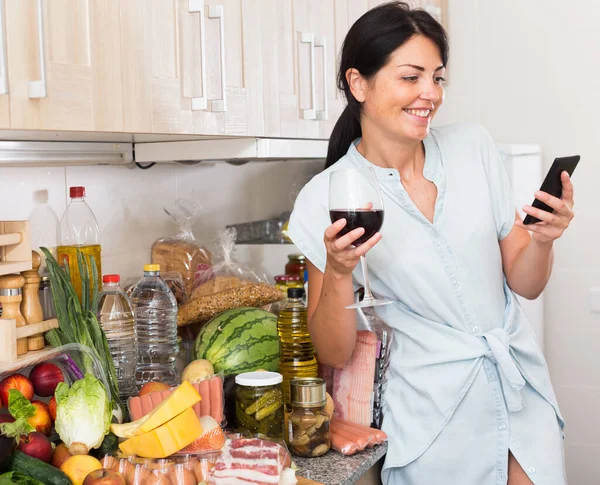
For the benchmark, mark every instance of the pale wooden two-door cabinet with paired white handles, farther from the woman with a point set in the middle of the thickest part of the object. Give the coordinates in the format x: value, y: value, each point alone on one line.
x: 188, y: 68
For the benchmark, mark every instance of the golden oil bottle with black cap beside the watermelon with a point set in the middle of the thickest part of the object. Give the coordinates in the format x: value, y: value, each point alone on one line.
x: 296, y: 351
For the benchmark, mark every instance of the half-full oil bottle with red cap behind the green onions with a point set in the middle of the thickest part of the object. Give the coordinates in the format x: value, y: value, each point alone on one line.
x: 79, y: 230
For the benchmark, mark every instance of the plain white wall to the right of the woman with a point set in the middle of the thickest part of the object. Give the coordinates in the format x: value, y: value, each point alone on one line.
x: 528, y: 71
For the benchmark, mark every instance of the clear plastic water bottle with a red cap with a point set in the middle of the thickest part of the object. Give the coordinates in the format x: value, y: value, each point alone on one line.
x: 116, y: 318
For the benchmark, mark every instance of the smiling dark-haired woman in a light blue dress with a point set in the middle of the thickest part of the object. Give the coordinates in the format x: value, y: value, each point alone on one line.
x: 469, y: 399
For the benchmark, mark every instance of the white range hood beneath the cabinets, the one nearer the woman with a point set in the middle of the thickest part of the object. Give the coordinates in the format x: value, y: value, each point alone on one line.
x: 233, y: 150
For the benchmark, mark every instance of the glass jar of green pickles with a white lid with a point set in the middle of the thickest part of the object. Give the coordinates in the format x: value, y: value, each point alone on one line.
x: 259, y: 404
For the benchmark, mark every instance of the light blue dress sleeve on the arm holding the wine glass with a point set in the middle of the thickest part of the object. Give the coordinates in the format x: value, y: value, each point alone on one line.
x: 309, y: 220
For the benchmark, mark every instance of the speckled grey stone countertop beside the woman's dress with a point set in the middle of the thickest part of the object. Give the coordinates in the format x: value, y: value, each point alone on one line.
x: 337, y: 469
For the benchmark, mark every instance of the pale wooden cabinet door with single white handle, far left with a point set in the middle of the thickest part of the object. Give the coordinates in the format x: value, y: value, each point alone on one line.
x: 63, y: 63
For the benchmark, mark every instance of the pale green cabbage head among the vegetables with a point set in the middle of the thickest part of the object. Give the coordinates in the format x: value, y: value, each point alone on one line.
x: 83, y: 414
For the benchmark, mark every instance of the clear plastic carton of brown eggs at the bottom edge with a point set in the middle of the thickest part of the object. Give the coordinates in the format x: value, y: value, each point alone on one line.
x: 179, y: 470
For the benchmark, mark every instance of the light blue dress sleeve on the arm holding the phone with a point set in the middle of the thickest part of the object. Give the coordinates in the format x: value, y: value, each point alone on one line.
x: 499, y: 185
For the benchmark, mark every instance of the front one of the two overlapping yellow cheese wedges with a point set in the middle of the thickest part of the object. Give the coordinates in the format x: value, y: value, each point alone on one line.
x: 166, y: 439
